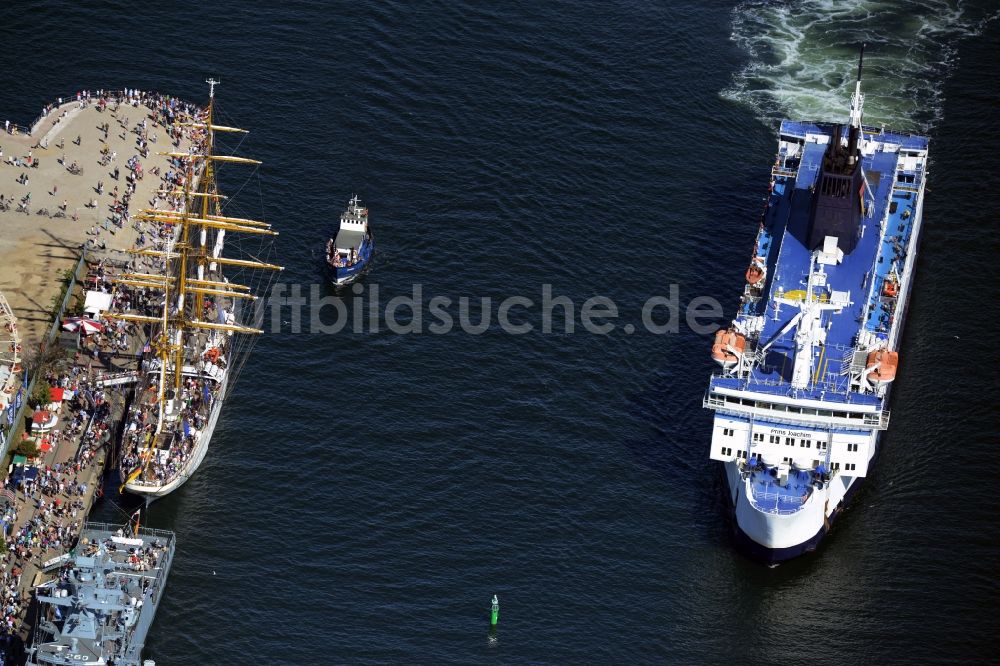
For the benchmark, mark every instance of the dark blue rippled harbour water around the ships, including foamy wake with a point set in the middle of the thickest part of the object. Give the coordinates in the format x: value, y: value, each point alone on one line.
x: 366, y: 494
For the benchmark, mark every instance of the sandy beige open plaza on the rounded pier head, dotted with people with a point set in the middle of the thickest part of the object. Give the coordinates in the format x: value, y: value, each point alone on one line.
x: 35, y: 249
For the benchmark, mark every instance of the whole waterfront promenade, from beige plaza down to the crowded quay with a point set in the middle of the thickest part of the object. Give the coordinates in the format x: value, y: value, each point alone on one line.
x: 118, y: 172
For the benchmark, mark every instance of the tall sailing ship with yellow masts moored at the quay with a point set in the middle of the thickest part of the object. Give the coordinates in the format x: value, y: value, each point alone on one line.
x: 204, y: 329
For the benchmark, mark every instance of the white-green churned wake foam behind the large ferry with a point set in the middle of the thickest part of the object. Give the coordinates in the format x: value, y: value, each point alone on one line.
x: 803, y: 57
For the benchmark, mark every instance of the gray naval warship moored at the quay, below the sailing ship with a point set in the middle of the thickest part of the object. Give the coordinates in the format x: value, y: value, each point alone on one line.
x: 99, y: 608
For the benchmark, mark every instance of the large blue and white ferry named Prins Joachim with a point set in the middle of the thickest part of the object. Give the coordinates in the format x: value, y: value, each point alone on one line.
x: 808, y: 362
